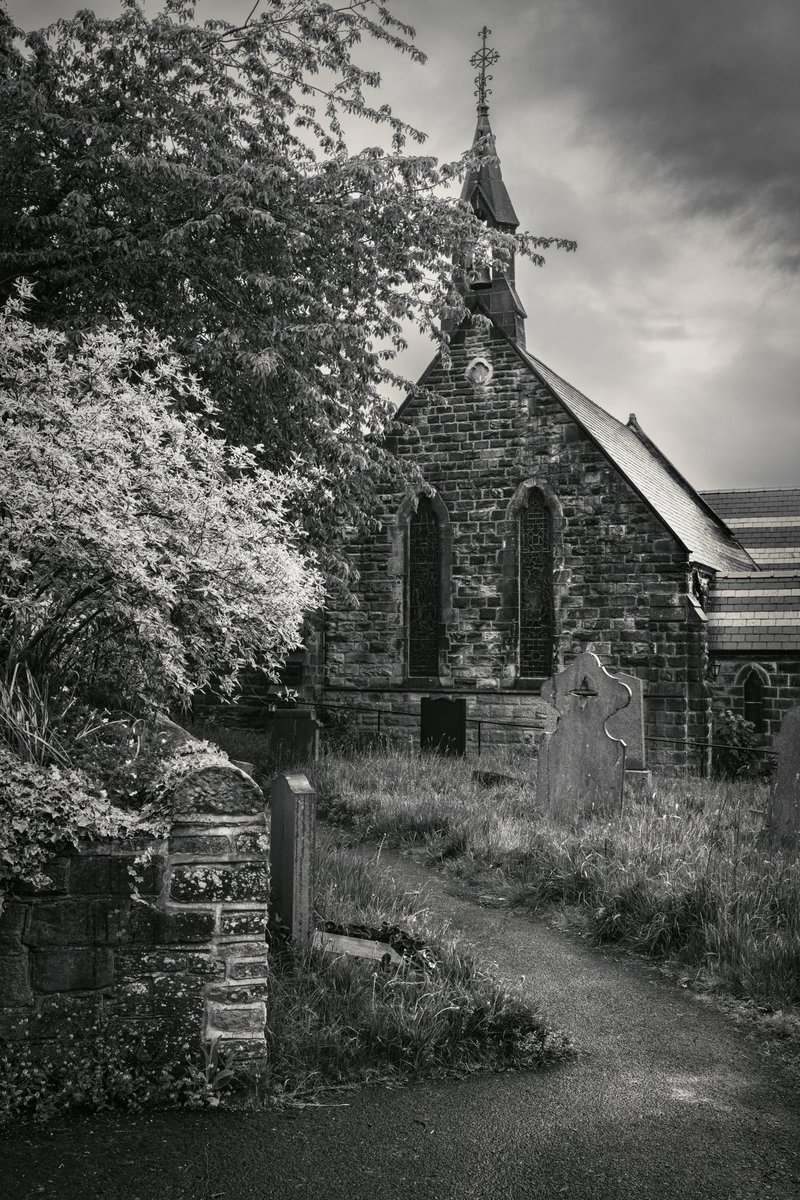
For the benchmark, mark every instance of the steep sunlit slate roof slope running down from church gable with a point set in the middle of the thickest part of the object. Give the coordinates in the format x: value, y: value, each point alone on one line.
x: 705, y: 535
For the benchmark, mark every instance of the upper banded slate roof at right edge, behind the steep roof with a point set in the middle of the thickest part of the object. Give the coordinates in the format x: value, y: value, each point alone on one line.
x: 767, y: 521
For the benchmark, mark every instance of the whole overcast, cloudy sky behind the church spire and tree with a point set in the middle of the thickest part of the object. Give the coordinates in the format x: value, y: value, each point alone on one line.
x: 665, y: 137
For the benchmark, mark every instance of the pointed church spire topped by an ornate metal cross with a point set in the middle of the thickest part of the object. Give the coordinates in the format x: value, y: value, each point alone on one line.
x: 486, y: 193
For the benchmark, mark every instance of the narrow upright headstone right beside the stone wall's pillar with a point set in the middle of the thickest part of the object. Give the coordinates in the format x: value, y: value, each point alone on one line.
x: 292, y: 850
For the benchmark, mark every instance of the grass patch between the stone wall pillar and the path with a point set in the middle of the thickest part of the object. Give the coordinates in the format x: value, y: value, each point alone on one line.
x: 336, y: 1023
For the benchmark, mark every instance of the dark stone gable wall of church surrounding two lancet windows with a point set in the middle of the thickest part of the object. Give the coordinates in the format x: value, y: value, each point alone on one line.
x: 622, y: 579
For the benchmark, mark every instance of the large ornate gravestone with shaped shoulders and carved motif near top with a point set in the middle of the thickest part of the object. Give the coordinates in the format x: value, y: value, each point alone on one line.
x: 581, y: 767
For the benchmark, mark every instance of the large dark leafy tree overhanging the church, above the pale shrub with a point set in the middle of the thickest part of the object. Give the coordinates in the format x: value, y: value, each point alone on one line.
x: 200, y: 175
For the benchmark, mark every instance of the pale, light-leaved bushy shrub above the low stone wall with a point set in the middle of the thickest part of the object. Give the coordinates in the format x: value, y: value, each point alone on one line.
x: 140, y: 553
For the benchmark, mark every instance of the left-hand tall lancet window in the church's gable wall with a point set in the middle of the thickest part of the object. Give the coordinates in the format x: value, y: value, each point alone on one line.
x: 424, y: 591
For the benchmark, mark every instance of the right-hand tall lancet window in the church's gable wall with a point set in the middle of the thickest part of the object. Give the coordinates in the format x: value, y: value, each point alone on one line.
x: 536, y: 567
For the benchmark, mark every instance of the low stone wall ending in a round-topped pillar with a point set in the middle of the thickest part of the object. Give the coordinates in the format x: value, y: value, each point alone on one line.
x: 185, y: 963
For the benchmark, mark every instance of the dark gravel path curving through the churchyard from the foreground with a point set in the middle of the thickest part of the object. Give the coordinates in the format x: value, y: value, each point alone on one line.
x: 667, y: 1100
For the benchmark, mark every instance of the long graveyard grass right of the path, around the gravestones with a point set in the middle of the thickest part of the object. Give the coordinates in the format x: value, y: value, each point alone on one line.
x: 681, y: 874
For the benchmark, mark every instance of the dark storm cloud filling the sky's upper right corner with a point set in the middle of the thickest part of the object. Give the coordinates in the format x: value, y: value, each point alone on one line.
x: 705, y: 95
